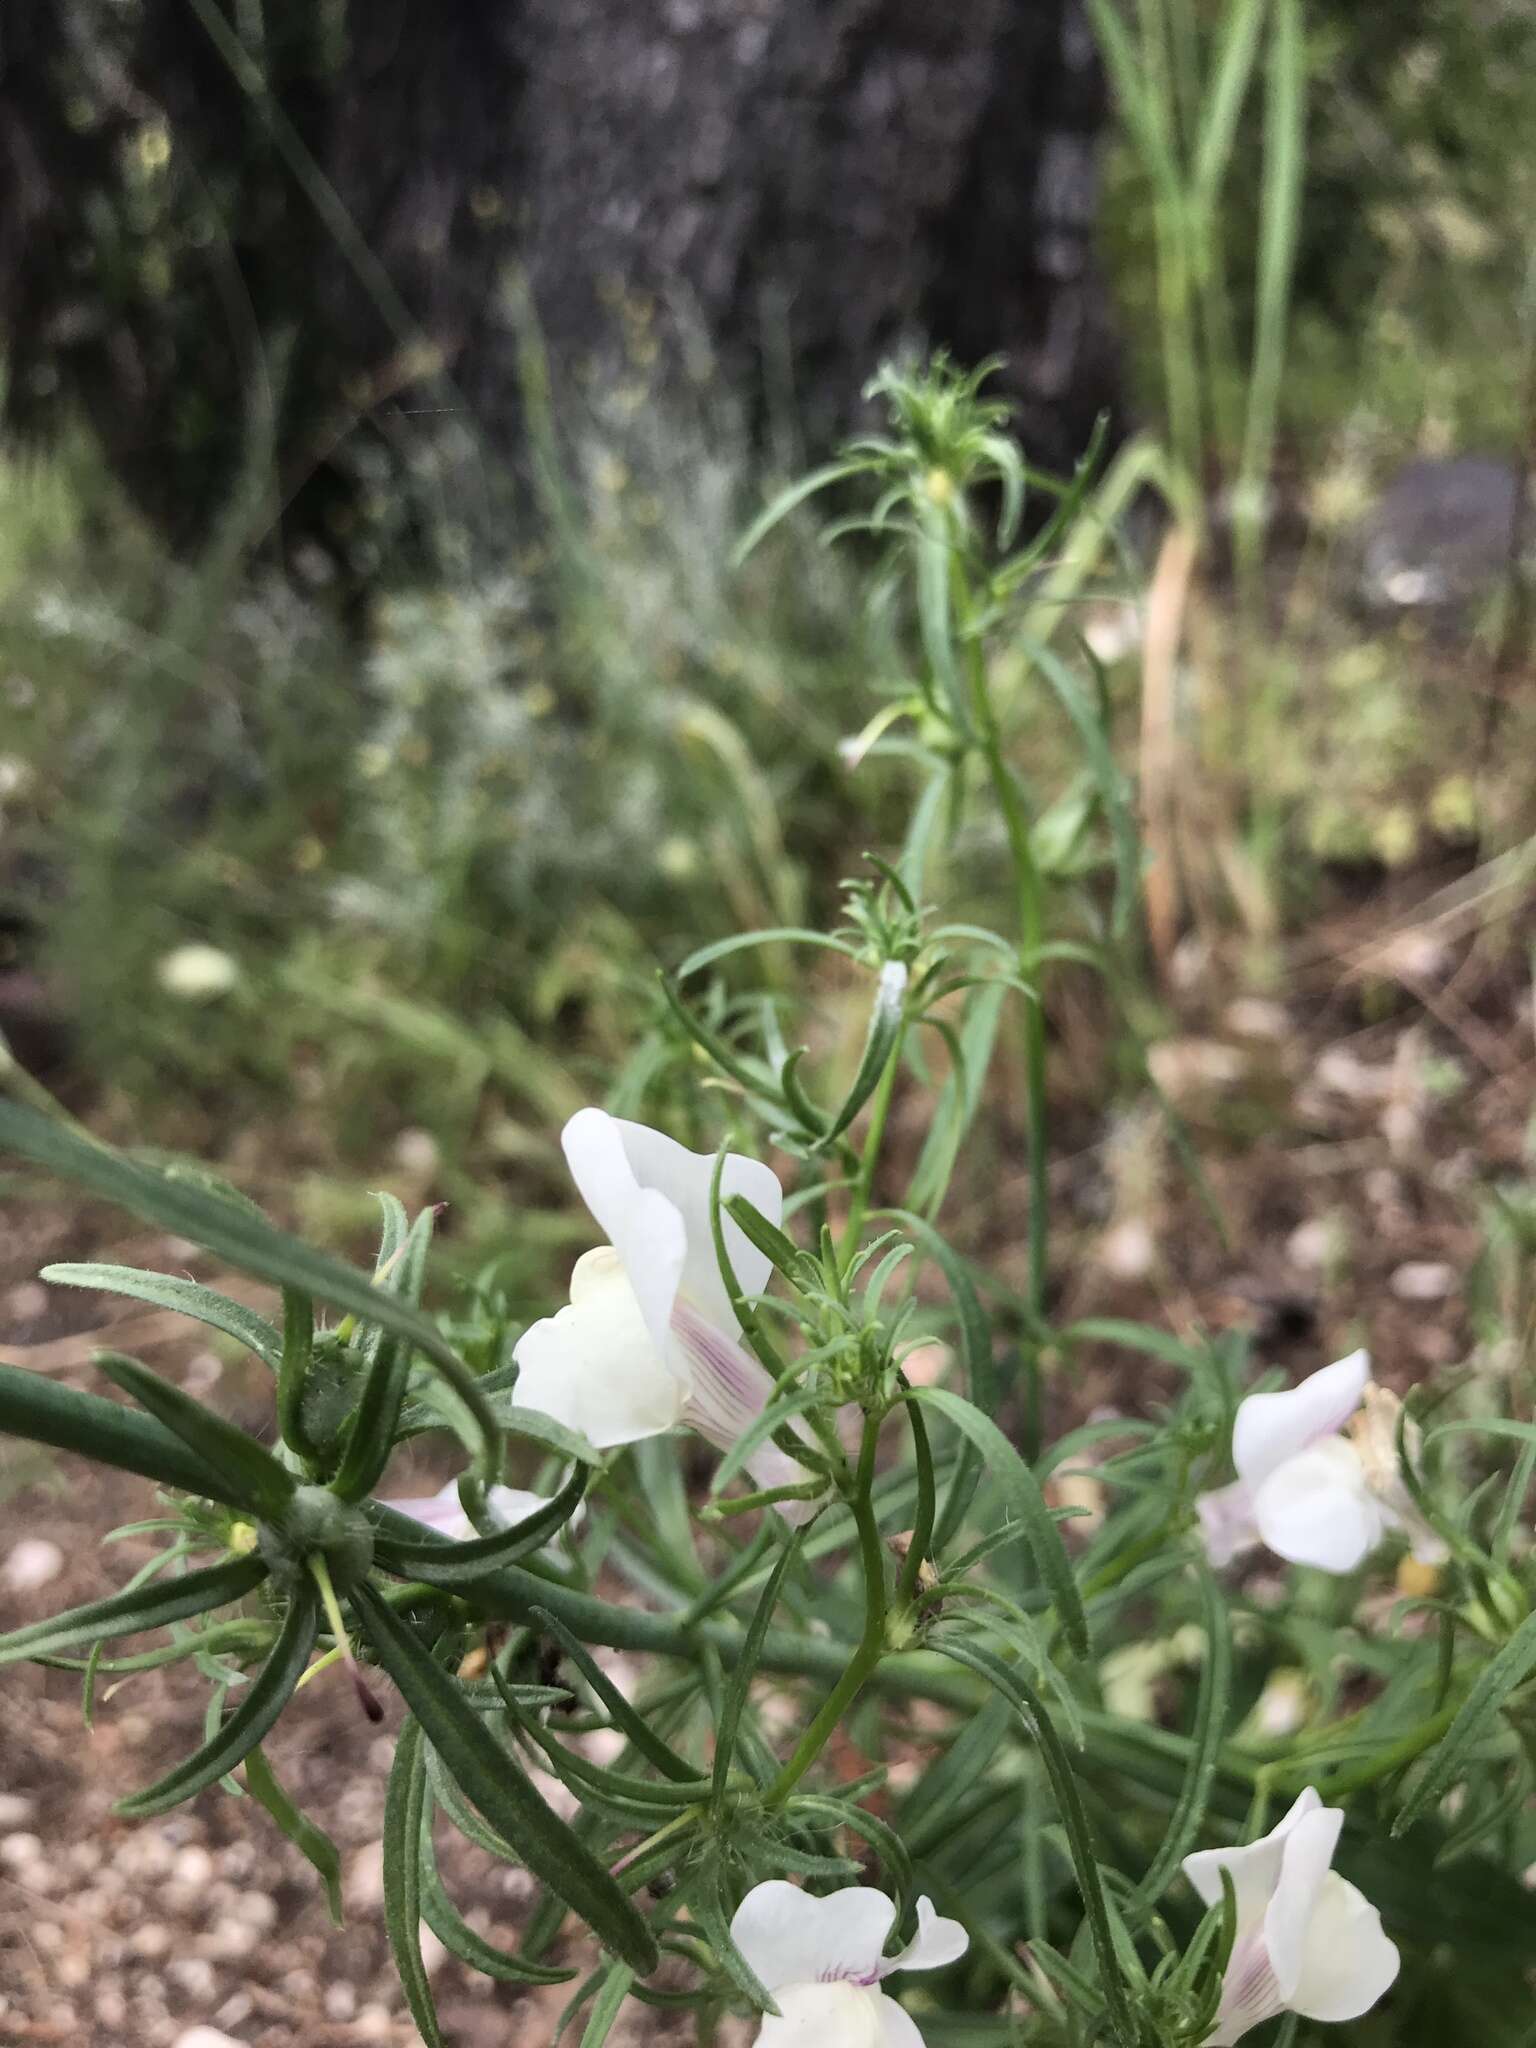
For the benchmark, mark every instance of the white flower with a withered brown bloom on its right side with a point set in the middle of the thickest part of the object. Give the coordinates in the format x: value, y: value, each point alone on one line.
x: 1306, y: 1488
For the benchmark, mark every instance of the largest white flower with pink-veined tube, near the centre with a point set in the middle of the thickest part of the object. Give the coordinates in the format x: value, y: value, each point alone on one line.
x: 650, y: 1338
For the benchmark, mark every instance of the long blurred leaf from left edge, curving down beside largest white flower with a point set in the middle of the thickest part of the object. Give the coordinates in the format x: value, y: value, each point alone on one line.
x: 237, y: 1232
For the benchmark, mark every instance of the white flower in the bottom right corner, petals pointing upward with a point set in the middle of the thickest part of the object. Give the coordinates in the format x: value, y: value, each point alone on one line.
x: 1308, y: 1943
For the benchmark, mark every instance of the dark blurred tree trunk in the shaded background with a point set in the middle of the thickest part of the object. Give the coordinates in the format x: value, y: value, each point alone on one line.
x: 830, y: 177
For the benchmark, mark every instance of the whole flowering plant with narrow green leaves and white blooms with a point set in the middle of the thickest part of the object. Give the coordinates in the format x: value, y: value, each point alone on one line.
x: 867, y: 1682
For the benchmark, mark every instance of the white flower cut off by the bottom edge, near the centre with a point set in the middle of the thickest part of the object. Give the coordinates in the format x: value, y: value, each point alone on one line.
x: 824, y: 1961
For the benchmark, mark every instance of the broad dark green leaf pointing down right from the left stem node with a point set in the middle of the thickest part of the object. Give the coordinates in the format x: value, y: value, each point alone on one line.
x: 501, y: 1789
